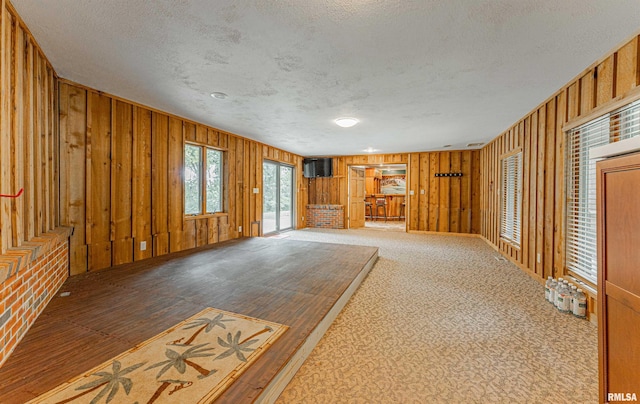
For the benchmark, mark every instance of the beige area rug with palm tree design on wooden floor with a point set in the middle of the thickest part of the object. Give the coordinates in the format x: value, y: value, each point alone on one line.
x: 191, y: 362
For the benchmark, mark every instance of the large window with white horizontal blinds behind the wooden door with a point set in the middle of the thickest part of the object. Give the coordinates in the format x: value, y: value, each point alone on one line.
x: 581, y: 184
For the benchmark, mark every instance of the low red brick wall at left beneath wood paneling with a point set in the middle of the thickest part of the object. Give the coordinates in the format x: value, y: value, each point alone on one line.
x: 37, y: 273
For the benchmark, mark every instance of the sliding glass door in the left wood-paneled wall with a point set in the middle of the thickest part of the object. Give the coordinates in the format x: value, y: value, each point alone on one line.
x: 278, y: 199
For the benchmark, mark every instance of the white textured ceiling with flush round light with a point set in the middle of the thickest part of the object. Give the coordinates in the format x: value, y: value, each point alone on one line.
x: 419, y: 74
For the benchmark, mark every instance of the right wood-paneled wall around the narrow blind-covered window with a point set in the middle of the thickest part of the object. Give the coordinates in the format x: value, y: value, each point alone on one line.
x: 540, y: 136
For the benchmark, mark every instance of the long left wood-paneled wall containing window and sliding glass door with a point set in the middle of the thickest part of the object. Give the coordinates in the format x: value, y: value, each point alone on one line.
x: 121, y: 181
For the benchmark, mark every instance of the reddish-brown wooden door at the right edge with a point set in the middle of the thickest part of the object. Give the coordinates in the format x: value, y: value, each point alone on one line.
x: 619, y: 275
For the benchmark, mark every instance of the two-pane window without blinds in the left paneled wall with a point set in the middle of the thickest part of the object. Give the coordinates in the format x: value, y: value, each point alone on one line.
x: 202, y: 180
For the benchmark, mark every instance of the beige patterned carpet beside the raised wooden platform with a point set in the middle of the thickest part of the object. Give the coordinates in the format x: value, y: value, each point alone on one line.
x: 440, y: 320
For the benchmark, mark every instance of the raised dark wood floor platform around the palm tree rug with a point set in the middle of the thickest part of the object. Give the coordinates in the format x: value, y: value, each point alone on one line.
x: 300, y: 284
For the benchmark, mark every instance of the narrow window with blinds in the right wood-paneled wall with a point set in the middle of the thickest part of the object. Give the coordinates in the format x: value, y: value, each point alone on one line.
x: 511, y: 201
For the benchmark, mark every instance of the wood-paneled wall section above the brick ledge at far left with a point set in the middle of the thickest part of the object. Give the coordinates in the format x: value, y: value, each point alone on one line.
x: 28, y: 140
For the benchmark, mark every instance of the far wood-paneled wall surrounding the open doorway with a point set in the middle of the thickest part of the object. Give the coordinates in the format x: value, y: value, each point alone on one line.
x: 448, y: 204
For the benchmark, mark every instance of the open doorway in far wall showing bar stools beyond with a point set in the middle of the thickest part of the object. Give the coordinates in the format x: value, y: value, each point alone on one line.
x: 384, y: 203
